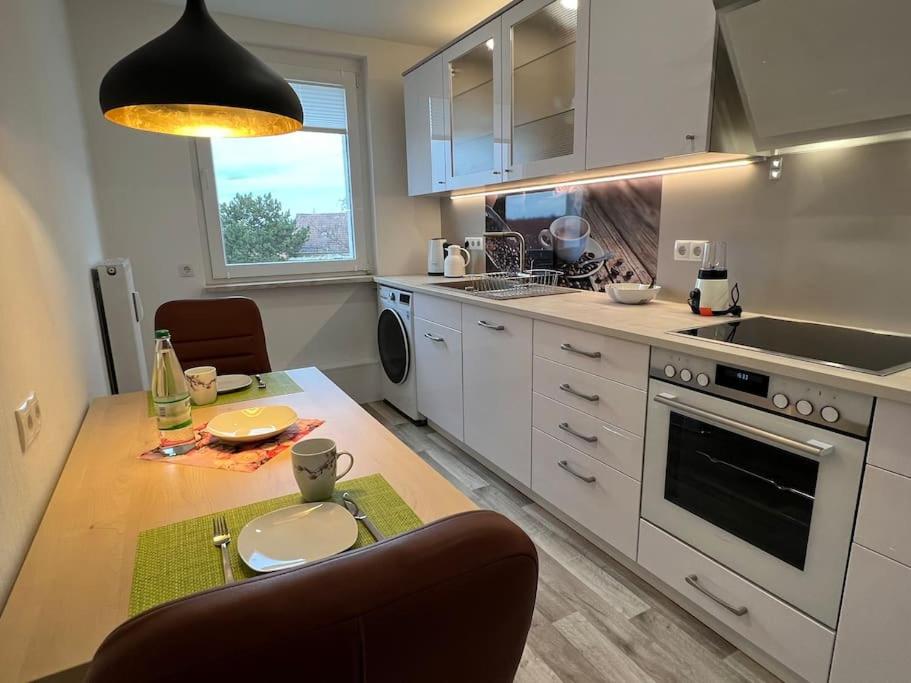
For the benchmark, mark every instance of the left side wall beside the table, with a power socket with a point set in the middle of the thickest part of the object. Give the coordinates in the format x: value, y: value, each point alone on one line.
x: 50, y: 342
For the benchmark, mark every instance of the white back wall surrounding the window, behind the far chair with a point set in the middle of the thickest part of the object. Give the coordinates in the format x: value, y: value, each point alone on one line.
x: 148, y: 202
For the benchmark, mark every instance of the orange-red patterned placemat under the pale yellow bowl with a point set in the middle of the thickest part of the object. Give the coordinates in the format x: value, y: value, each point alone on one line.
x: 238, y: 457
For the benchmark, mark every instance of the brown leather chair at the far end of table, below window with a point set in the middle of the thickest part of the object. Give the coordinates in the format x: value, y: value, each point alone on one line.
x: 227, y: 333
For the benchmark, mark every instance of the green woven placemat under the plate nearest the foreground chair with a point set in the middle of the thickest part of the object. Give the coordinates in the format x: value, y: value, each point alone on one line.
x: 179, y: 559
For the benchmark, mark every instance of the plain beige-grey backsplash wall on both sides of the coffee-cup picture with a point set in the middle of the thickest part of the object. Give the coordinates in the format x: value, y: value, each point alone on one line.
x: 830, y: 241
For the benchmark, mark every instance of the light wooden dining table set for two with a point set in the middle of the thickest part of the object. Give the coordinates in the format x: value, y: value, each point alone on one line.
x: 74, y: 585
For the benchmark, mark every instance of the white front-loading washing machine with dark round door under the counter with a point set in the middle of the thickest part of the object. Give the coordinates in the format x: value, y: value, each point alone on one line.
x: 395, y: 339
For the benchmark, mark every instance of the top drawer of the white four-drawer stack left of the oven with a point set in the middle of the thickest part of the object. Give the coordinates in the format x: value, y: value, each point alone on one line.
x: 619, y: 360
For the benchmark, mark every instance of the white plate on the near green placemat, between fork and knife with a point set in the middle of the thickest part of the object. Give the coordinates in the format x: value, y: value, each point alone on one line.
x: 296, y: 535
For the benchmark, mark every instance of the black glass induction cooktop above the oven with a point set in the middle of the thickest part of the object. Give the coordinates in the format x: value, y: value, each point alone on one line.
x: 876, y: 353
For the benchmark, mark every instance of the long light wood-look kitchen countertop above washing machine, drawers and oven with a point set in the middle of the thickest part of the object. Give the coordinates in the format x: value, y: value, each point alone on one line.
x: 653, y: 324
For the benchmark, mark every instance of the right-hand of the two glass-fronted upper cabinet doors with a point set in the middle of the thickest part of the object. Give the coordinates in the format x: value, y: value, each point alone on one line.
x: 545, y: 73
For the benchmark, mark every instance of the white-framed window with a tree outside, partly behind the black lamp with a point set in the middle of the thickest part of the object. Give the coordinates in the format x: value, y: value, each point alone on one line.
x: 290, y: 205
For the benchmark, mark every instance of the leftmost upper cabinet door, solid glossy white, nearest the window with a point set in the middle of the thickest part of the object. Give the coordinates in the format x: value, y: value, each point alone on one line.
x: 426, y: 128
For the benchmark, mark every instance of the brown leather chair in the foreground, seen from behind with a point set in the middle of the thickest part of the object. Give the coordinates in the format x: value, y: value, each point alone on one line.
x: 449, y: 602
